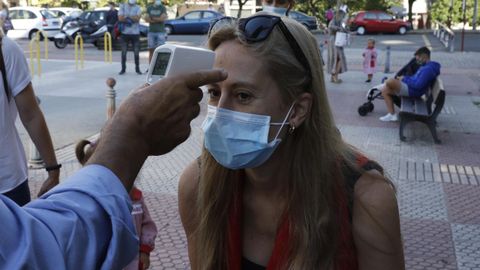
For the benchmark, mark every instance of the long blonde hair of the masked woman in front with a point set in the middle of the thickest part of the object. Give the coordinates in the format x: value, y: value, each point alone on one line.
x: 315, y: 149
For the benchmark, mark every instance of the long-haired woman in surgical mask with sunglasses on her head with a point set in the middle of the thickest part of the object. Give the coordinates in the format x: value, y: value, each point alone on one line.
x: 276, y: 187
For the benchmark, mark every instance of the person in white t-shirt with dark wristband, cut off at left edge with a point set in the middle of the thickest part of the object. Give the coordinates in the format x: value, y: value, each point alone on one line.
x: 18, y: 98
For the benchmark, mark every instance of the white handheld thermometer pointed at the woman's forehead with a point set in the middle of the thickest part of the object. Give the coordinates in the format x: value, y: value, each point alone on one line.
x: 170, y: 59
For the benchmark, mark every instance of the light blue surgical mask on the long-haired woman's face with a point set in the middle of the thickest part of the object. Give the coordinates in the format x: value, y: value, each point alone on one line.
x: 239, y: 140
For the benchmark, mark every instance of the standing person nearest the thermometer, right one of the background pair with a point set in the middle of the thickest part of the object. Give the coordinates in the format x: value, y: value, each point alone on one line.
x: 156, y: 16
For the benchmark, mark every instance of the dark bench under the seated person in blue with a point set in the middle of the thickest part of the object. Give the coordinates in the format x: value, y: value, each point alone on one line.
x: 423, y: 109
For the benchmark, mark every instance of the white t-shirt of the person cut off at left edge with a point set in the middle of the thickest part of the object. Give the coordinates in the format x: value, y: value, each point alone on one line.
x: 13, y: 163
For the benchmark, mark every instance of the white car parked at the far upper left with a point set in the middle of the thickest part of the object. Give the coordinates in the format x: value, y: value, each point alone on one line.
x: 29, y: 20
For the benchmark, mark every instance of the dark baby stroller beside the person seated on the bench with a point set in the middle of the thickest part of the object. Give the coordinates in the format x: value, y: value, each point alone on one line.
x: 375, y: 92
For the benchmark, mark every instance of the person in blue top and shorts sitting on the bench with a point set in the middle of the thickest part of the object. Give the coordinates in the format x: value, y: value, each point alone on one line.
x: 411, y: 86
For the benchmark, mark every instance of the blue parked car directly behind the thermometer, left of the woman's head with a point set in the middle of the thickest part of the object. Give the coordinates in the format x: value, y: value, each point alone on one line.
x: 193, y: 22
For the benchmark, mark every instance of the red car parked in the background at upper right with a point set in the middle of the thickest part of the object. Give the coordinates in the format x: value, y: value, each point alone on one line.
x: 377, y: 21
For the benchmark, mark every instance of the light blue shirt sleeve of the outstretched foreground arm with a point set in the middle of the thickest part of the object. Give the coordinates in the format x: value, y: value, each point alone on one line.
x: 84, y: 223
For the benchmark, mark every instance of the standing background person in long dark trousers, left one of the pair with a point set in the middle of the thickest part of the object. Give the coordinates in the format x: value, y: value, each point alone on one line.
x: 129, y: 16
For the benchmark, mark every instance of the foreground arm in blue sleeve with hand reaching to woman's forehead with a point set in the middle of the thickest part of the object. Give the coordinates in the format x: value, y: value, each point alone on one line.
x: 85, y: 222
